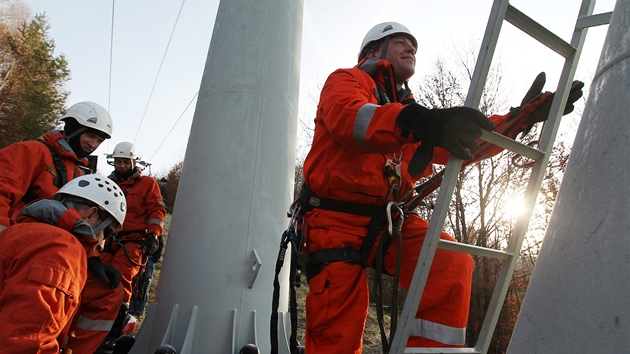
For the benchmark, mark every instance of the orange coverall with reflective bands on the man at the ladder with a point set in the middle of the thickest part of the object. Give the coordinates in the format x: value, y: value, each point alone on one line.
x: 355, y: 134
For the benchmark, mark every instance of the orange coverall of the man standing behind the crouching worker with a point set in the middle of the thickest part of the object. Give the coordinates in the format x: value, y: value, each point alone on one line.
x: 28, y: 173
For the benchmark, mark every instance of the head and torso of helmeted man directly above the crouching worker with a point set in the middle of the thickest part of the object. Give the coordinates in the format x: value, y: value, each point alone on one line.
x: 37, y: 169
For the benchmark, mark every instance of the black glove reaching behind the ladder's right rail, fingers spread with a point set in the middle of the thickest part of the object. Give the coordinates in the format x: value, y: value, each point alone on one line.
x: 541, y: 113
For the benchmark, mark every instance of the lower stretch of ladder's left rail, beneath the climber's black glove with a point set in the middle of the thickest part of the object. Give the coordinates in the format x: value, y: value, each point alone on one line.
x: 427, y: 253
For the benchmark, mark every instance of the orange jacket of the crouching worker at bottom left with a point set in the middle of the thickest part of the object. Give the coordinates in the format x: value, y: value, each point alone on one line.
x: 42, y: 271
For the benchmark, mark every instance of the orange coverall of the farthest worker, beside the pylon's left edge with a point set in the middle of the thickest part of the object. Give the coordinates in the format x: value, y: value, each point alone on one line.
x: 145, y: 215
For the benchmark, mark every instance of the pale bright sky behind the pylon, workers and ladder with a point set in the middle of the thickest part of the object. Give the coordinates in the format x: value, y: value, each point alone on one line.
x: 143, y: 59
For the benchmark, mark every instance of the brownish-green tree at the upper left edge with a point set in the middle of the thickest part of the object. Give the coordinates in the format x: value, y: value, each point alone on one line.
x: 32, y: 96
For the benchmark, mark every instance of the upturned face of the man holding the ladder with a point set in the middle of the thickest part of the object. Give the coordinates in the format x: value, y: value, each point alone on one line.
x: 401, y: 54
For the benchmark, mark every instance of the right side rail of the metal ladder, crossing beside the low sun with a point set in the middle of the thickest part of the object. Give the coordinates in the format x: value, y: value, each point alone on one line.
x: 546, y: 144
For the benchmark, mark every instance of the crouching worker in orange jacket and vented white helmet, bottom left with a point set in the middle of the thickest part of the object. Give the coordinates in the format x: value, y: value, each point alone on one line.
x: 44, y: 261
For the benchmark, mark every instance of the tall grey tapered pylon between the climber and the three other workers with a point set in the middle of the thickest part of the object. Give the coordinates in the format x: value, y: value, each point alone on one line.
x: 216, y: 280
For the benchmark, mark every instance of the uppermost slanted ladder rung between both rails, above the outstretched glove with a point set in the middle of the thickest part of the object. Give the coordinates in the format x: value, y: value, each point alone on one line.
x: 538, y: 32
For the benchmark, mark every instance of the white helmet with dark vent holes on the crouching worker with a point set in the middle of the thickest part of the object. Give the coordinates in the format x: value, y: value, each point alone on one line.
x: 102, y: 191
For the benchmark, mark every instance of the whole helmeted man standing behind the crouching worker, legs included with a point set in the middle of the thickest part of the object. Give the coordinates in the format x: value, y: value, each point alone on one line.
x: 34, y: 170
